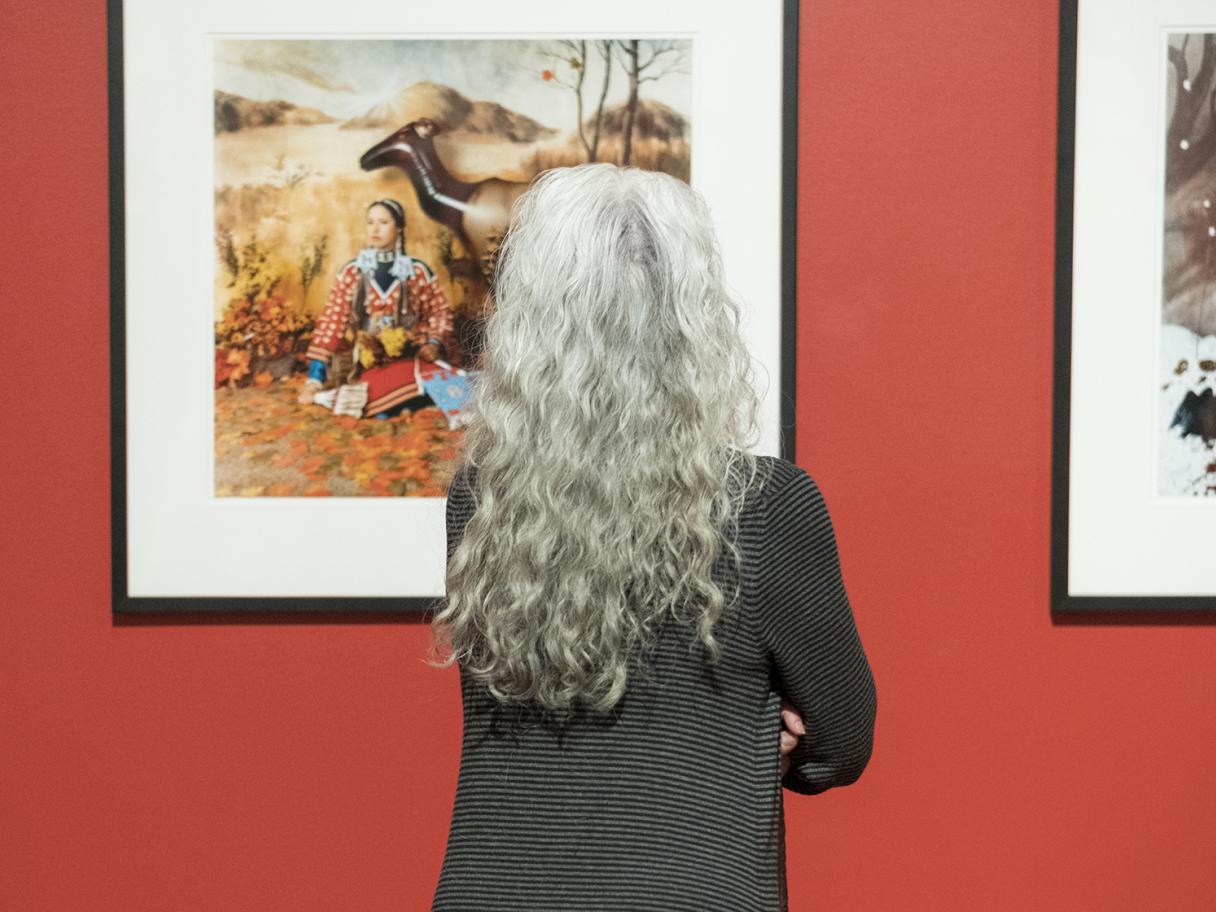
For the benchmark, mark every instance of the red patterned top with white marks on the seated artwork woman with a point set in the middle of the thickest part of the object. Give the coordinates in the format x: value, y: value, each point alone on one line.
x: 425, y: 305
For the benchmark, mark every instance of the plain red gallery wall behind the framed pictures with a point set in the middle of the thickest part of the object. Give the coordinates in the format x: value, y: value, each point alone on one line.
x: 311, y: 765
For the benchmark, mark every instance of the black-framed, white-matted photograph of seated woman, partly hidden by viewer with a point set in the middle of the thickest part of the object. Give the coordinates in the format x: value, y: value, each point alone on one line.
x: 306, y: 207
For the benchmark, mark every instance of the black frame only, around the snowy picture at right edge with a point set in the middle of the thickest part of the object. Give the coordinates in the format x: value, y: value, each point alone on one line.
x: 1063, y: 604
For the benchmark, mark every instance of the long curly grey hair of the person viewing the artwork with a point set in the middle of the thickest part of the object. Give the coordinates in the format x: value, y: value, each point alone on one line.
x: 615, y: 413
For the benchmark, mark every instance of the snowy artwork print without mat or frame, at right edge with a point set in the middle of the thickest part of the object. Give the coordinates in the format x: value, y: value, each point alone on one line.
x: 1187, y: 397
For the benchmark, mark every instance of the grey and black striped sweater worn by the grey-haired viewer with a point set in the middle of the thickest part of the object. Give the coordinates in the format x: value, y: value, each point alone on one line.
x: 673, y: 802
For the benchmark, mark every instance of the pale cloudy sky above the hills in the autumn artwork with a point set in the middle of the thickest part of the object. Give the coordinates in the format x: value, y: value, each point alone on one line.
x: 345, y: 78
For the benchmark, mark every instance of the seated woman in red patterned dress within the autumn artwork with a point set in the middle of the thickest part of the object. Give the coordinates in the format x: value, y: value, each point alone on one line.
x: 386, y: 322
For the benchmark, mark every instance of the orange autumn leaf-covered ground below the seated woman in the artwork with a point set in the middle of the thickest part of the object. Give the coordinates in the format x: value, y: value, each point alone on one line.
x: 267, y: 444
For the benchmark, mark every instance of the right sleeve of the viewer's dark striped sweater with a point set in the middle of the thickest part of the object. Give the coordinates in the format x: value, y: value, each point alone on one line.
x: 807, y: 626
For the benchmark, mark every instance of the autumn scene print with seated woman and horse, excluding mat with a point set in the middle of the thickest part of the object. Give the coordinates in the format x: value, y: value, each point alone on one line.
x: 362, y: 189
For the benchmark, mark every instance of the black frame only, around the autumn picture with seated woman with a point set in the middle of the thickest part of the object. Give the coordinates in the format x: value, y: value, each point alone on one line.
x: 346, y: 609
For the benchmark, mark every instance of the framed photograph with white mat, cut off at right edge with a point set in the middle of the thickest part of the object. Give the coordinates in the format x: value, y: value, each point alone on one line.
x: 1134, y: 516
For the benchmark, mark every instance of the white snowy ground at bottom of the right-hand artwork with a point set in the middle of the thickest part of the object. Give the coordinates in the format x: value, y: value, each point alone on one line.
x: 1185, y: 464
